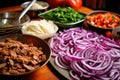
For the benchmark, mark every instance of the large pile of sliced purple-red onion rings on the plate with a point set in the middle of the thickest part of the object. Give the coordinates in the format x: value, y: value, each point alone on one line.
x: 86, y: 54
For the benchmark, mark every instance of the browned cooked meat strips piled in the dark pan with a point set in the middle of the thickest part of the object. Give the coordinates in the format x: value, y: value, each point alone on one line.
x: 16, y: 57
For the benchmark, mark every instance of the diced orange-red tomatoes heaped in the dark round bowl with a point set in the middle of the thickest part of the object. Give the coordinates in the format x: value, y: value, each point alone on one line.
x: 104, y: 20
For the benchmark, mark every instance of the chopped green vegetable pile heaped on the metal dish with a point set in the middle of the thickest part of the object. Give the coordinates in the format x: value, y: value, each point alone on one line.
x: 64, y: 15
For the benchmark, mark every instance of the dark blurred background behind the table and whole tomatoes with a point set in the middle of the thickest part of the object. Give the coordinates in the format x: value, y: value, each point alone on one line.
x: 111, y: 5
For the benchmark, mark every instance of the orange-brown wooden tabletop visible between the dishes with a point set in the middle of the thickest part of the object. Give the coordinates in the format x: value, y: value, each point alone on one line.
x: 47, y: 72
